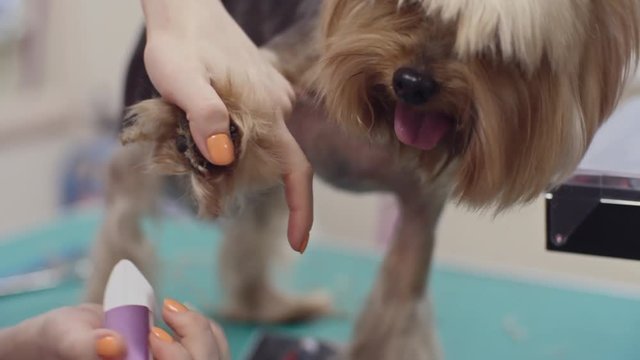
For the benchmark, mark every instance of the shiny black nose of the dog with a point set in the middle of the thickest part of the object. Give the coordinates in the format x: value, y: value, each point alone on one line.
x: 413, y: 87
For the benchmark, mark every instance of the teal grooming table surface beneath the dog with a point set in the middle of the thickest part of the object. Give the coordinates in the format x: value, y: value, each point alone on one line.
x: 478, y: 317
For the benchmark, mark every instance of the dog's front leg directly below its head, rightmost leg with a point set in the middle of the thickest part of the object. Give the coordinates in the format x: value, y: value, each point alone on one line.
x: 396, y: 323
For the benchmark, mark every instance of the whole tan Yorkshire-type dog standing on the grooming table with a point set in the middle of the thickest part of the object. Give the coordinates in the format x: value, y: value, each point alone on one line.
x: 487, y: 103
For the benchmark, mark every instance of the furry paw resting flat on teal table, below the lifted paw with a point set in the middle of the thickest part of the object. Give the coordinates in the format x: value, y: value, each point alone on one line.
x: 272, y: 307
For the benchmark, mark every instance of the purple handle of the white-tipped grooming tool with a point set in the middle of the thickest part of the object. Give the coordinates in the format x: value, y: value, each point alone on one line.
x: 132, y: 322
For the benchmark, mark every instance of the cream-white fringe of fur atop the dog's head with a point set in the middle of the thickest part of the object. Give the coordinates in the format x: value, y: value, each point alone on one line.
x: 525, y: 31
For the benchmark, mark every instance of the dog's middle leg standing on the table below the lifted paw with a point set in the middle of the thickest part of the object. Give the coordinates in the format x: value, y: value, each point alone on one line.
x: 246, y: 258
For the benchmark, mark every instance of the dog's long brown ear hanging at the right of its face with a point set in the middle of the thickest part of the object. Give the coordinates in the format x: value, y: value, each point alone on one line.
x: 531, y: 129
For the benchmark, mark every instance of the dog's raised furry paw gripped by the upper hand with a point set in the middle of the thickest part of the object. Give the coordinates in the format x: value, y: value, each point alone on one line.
x: 215, y: 189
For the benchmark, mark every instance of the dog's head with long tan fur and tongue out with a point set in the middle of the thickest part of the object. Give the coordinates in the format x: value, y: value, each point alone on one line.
x: 509, y: 92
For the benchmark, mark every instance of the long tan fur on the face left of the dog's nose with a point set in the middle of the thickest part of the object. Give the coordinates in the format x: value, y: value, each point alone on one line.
x: 362, y: 46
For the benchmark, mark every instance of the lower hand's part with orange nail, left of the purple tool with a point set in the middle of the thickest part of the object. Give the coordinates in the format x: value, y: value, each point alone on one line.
x: 71, y: 333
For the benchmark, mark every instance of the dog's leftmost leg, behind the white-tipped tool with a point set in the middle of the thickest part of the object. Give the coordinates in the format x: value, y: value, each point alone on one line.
x: 129, y: 196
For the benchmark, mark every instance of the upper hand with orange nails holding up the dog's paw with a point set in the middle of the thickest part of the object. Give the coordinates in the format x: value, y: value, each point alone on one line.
x: 192, y: 44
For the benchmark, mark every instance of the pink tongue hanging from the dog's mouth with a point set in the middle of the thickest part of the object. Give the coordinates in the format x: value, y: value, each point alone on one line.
x: 419, y: 129
